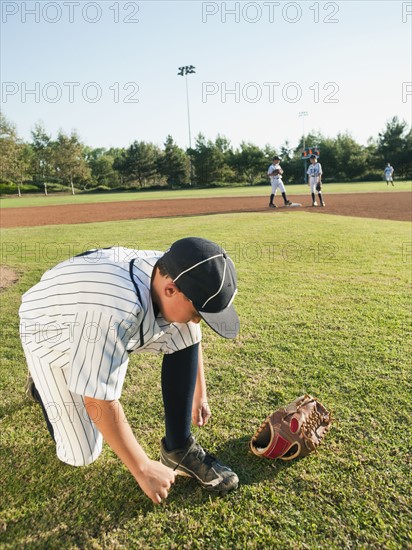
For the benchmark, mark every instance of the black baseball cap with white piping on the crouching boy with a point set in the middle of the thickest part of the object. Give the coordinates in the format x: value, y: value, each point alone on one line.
x: 203, y: 271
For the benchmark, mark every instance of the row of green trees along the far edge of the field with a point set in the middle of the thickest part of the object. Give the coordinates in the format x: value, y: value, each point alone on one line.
x: 54, y: 164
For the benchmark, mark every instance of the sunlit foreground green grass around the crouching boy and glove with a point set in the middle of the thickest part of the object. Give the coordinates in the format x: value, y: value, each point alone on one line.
x: 325, y: 305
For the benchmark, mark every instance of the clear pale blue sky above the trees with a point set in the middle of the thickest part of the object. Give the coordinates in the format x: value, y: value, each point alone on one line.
x: 108, y: 69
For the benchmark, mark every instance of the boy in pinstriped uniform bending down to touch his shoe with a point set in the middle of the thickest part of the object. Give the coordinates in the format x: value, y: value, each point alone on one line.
x: 78, y: 326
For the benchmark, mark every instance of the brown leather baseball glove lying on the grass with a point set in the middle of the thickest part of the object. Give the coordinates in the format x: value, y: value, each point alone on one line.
x: 292, y: 431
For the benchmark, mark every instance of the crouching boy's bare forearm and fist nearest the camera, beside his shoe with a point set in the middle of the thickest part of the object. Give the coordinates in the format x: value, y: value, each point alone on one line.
x: 154, y: 478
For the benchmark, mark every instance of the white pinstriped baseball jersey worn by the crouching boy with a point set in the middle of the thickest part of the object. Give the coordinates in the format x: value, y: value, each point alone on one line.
x: 89, y: 312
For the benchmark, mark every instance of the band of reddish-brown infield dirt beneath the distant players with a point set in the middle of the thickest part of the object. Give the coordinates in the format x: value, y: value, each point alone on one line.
x: 390, y: 206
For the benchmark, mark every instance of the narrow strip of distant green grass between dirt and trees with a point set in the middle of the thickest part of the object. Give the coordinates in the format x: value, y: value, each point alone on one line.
x: 261, y: 190
